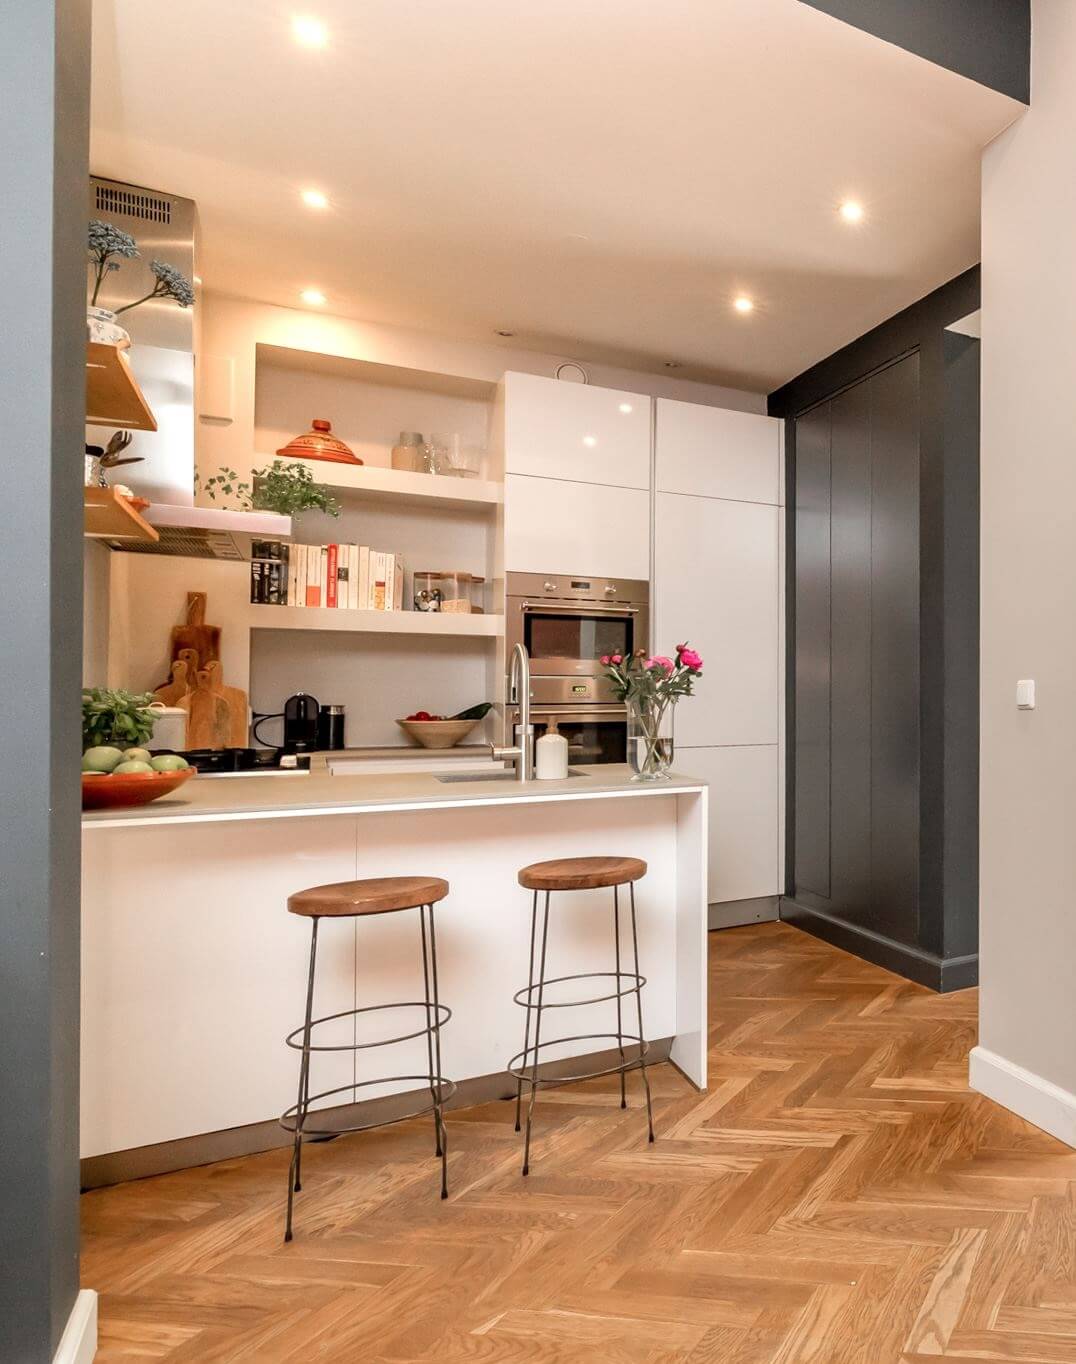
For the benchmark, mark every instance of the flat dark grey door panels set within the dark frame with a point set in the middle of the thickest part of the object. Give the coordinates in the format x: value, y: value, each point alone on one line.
x: 857, y: 655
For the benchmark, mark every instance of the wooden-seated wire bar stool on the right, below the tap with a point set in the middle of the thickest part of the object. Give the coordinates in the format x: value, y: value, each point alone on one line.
x: 580, y: 874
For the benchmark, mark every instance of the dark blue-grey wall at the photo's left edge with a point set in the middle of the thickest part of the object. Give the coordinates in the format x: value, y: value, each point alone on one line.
x: 44, y: 151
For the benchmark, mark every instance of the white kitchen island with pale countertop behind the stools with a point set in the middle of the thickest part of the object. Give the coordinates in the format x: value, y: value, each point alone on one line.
x: 194, y: 970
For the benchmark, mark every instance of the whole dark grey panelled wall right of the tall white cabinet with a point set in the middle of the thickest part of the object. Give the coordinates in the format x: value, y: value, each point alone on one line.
x: 883, y: 447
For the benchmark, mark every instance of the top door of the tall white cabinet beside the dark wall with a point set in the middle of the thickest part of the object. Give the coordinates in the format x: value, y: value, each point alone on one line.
x: 715, y: 454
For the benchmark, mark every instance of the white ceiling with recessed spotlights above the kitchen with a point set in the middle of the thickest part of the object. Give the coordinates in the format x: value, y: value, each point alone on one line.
x: 599, y: 177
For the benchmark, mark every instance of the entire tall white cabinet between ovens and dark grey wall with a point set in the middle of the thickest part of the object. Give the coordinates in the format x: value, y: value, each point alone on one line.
x: 718, y: 583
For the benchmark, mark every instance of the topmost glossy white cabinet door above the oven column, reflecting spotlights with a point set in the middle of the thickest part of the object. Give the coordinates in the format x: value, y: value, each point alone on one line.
x: 556, y: 430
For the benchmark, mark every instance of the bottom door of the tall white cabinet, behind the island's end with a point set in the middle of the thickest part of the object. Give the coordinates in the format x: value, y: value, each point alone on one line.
x: 744, y: 818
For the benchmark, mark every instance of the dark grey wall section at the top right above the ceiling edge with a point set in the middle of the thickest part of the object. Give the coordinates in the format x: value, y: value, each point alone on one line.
x: 985, y: 40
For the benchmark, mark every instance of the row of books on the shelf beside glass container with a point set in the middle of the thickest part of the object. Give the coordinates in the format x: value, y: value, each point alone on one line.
x: 351, y: 578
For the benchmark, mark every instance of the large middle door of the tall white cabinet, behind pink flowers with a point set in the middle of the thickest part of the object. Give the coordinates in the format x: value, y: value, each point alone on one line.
x: 718, y: 587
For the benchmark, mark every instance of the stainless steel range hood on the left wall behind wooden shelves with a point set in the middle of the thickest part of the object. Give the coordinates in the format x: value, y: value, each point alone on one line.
x: 163, y: 359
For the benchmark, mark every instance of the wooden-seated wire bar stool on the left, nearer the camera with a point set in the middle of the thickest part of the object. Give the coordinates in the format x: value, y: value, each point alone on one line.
x: 353, y: 900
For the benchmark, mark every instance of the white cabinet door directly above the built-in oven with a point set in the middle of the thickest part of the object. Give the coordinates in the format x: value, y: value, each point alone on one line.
x: 553, y: 526
